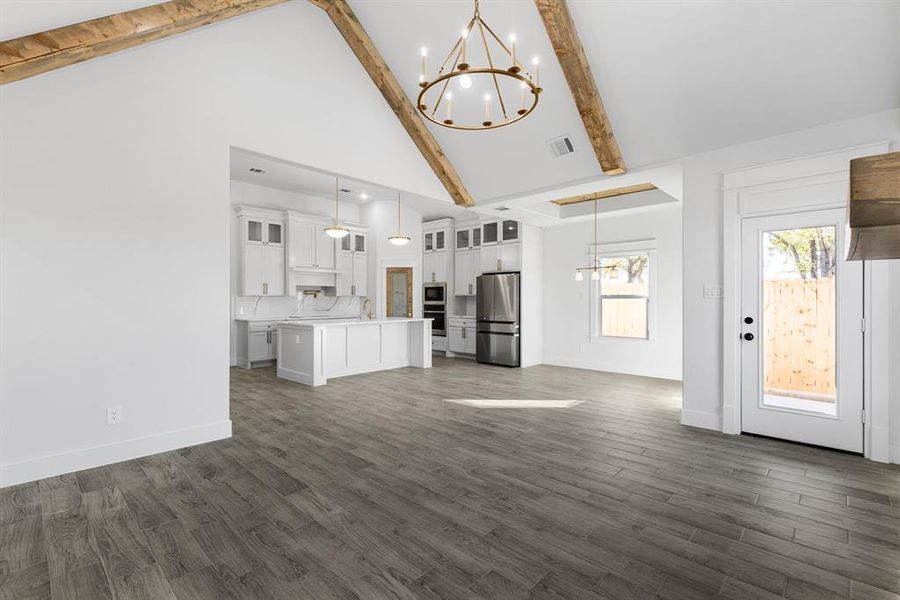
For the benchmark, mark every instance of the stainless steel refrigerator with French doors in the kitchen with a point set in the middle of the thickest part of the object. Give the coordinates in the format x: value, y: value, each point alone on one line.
x: 497, y: 315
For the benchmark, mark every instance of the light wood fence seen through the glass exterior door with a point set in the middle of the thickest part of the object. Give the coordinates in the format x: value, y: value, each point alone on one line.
x: 799, y: 337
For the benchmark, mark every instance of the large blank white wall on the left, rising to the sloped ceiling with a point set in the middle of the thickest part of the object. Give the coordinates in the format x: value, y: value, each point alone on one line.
x: 114, y: 224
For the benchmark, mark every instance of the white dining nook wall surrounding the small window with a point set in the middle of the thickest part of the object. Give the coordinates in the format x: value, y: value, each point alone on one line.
x: 566, y: 301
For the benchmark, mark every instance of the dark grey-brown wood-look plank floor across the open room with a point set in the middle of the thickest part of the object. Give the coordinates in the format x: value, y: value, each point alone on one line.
x: 373, y: 487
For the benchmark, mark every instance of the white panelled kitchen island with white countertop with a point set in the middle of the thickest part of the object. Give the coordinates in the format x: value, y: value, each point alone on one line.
x: 312, y: 351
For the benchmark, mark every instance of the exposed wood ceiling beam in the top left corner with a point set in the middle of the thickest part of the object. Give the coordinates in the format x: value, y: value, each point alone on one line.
x: 41, y: 52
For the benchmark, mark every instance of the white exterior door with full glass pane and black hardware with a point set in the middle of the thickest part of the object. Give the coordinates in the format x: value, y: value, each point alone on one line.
x: 802, y: 331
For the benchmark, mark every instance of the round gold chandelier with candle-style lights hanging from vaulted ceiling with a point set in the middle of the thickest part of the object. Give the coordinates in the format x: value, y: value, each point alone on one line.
x: 456, y: 66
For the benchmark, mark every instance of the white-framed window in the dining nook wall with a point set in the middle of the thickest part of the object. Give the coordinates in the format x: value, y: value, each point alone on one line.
x: 623, y: 297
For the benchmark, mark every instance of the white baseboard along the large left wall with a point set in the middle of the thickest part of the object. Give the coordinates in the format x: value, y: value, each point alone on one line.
x: 96, y: 456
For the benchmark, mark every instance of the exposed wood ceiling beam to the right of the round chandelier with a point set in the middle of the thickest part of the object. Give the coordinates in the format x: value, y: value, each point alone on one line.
x: 570, y: 53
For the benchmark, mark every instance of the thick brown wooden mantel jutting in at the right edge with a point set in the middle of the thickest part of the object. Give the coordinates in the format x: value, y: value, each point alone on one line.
x: 874, y: 207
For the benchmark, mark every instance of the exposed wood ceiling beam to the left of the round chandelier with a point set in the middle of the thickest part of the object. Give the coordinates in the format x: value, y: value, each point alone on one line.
x: 346, y: 22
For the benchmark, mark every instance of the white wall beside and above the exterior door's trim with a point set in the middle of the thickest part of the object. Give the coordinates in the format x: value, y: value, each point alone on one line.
x: 703, y: 199
